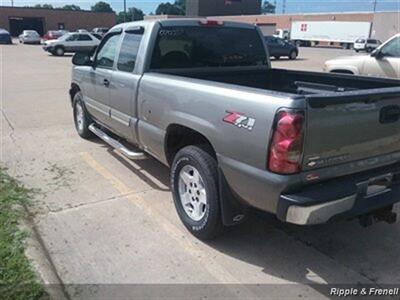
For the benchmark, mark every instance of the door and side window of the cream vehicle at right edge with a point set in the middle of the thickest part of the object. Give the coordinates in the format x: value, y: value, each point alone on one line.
x: 385, y: 62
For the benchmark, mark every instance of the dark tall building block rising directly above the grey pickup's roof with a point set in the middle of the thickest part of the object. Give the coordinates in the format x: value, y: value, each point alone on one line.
x: 196, y: 8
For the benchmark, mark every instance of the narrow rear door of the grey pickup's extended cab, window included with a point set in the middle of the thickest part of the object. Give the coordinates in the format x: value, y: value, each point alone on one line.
x: 125, y: 81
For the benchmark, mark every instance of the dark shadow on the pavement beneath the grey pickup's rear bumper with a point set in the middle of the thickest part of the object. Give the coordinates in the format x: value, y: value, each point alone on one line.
x: 334, y: 254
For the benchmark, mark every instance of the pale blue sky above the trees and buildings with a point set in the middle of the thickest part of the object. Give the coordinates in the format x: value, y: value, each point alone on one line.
x: 292, y: 6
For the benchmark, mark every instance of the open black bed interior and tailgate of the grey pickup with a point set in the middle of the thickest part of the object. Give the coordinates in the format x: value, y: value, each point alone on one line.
x: 349, y: 118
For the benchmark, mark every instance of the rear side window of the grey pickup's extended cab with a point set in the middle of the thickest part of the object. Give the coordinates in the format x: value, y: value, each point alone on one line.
x: 129, y: 49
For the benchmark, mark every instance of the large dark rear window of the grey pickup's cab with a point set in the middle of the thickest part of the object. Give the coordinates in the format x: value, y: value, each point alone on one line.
x: 196, y: 47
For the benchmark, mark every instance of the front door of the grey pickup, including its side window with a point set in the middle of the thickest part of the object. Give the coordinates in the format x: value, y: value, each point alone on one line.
x: 100, y: 77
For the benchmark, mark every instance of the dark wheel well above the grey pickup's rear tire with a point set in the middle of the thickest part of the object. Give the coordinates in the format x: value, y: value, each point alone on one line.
x: 179, y: 136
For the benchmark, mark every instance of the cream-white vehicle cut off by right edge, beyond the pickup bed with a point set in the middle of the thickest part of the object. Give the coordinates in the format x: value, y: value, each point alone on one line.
x: 382, y: 62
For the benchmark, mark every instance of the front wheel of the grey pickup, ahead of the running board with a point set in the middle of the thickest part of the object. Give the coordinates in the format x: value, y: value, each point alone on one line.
x: 82, y: 119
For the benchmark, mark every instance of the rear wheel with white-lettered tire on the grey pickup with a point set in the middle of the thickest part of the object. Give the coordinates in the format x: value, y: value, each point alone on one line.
x: 200, y: 190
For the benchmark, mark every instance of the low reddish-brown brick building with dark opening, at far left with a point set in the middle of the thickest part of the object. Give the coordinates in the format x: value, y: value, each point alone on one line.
x: 17, y: 19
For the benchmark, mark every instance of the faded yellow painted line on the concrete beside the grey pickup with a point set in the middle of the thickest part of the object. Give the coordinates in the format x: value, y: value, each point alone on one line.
x: 216, y: 270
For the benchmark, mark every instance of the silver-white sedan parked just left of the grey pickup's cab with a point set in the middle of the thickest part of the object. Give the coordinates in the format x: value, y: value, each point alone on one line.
x: 72, y: 42
